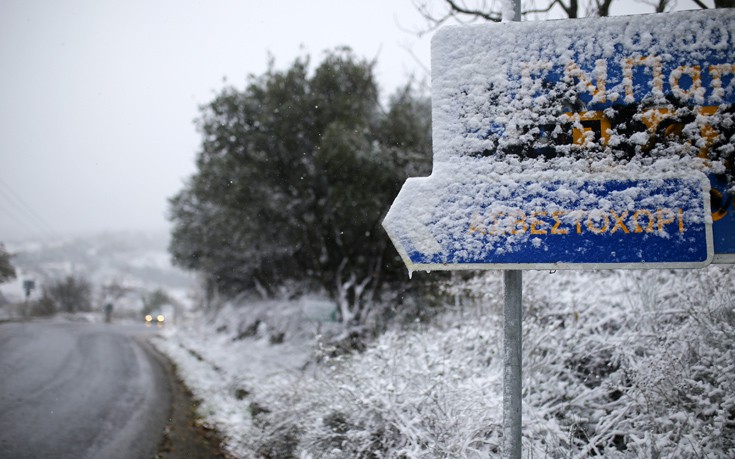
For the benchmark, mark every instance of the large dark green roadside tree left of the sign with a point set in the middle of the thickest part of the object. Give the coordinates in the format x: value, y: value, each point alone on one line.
x: 293, y: 178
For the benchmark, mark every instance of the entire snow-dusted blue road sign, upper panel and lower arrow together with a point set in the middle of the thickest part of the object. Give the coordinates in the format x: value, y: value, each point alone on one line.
x: 606, y: 142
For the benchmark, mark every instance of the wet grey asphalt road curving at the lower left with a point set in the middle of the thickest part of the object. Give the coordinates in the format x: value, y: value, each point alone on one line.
x: 80, y: 391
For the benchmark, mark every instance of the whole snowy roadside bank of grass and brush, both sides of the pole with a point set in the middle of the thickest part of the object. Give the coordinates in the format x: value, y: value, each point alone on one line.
x: 621, y: 364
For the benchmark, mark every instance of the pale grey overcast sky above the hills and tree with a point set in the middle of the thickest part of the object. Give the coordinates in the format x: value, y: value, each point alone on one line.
x: 98, y: 98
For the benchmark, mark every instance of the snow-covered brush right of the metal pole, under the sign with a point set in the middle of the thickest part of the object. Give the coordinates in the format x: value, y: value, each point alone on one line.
x: 637, y: 364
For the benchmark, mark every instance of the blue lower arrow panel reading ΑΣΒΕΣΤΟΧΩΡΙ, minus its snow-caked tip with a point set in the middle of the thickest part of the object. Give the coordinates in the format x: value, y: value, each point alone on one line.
x: 628, y: 224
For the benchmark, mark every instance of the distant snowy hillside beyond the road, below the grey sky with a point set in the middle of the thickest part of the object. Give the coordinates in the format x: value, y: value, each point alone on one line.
x: 121, y: 267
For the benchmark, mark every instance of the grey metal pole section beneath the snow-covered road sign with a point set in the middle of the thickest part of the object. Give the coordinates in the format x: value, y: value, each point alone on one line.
x: 512, y: 361
